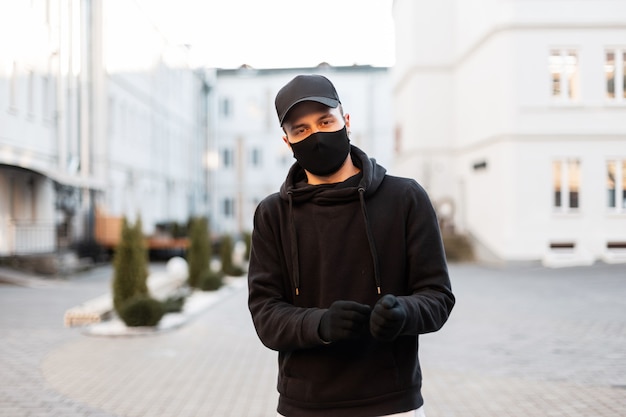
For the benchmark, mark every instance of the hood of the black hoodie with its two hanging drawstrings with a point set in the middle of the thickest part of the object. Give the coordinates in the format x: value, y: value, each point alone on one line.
x: 296, y: 191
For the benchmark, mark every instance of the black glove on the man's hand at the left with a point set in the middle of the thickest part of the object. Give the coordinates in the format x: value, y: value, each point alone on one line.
x: 344, y: 320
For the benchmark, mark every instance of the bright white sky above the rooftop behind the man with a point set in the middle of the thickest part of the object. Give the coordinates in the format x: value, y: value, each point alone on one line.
x: 277, y: 33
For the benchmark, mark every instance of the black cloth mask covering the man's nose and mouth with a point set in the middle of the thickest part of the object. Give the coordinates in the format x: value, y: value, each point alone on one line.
x: 322, y: 153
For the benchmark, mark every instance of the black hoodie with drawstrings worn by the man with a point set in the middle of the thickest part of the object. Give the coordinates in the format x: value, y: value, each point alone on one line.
x: 370, y: 235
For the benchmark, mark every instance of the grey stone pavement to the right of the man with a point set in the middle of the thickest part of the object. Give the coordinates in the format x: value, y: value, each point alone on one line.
x: 530, y: 341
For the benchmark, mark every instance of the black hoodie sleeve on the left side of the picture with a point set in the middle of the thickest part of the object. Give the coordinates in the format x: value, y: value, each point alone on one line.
x: 279, y: 324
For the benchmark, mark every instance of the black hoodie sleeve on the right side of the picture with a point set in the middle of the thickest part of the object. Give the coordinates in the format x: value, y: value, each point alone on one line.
x: 432, y: 300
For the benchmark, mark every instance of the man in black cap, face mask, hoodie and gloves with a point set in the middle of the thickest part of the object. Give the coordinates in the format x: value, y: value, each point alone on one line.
x: 347, y: 269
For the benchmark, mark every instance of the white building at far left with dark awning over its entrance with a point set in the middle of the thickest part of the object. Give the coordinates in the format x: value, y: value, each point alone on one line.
x: 44, y: 118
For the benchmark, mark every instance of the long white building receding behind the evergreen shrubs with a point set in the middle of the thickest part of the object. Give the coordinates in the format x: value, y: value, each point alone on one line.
x: 157, y: 123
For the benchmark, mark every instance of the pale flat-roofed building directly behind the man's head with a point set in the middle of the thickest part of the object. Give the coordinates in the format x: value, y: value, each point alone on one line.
x: 251, y: 158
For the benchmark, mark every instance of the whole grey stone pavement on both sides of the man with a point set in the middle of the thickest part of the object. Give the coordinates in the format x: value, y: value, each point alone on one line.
x: 521, y: 341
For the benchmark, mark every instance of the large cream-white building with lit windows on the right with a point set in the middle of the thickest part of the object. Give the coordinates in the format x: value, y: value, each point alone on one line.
x: 513, y: 113
